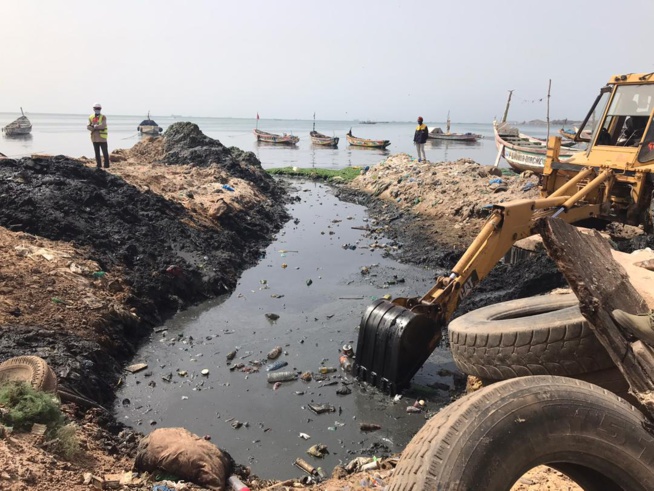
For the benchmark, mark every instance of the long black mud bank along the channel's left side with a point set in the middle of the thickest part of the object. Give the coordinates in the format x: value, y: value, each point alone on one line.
x: 169, y: 258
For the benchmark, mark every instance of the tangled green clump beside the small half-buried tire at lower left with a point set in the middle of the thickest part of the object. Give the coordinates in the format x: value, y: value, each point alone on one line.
x: 24, y: 406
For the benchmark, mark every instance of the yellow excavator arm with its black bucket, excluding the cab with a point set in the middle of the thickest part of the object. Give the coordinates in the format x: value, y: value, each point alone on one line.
x: 396, y: 338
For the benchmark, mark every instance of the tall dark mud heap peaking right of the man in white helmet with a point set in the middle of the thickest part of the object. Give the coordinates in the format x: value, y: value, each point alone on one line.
x: 185, y: 144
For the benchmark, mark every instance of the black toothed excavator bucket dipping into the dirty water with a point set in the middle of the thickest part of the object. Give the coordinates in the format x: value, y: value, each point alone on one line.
x: 393, y: 344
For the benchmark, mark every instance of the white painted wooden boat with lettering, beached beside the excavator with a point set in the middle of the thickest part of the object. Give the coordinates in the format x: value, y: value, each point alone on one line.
x: 523, y: 152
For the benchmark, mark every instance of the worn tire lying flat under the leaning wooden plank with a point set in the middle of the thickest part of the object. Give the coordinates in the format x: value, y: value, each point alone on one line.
x: 545, y: 335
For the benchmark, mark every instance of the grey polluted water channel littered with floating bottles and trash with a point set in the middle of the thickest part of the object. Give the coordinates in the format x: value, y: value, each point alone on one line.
x: 207, y: 367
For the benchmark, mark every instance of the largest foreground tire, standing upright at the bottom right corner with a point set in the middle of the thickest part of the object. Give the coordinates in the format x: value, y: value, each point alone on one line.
x: 489, y: 439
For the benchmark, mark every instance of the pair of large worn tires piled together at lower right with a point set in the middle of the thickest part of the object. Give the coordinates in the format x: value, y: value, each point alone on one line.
x: 538, y: 410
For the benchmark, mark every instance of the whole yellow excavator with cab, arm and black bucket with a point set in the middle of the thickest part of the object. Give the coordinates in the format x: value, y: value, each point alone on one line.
x: 612, y: 180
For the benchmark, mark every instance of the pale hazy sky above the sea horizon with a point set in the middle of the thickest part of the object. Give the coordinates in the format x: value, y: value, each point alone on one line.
x: 356, y: 59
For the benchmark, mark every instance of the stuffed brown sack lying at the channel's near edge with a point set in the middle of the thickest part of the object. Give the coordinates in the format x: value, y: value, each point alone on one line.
x: 179, y: 452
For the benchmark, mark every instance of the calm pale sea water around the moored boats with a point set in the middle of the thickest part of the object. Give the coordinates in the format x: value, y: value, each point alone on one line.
x: 66, y: 134
